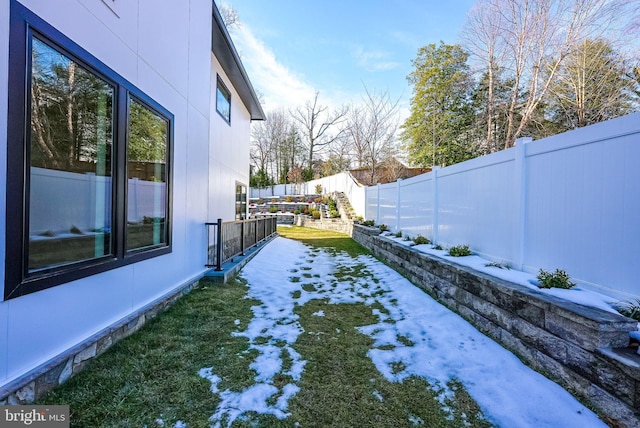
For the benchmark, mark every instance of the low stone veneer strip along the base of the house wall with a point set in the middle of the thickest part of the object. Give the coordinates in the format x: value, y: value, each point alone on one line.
x: 56, y: 371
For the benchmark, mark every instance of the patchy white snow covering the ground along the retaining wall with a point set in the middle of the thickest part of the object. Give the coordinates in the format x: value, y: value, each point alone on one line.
x: 413, y: 332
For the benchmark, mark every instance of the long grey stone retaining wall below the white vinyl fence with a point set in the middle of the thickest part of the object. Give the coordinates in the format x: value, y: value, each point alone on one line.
x: 583, y: 349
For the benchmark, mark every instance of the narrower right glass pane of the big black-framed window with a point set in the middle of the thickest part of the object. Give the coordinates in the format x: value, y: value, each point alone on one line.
x: 147, y: 181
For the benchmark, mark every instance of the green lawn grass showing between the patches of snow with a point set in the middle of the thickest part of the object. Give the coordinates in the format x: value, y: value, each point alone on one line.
x: 153, y: 375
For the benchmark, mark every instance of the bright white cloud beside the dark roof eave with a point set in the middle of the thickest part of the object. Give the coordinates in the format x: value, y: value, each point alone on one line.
x: 279, y: 86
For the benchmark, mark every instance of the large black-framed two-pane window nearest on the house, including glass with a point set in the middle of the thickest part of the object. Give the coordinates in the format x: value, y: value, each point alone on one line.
x: 89, y: 155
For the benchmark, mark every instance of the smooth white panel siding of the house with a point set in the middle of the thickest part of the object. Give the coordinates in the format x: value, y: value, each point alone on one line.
x: 165, y: 50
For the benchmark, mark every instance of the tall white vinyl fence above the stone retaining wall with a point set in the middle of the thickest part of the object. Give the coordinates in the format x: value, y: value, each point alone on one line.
x: 571, y: 201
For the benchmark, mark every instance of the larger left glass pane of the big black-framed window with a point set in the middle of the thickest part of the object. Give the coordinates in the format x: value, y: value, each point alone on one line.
x: 70, y: 189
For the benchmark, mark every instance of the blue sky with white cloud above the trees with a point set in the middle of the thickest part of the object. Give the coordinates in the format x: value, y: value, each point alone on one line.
x: 291, y: 48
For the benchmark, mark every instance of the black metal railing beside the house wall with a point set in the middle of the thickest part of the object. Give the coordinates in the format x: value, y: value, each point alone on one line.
x: 226, y: 240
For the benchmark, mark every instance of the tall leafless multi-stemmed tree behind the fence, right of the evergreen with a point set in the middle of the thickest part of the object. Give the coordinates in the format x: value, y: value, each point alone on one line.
x: 532, y: 38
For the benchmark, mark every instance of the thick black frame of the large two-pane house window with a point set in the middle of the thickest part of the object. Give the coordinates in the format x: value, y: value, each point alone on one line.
x: 24, y: 25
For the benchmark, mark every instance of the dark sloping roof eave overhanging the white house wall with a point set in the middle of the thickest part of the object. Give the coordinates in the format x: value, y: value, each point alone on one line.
x: 224, y: 50
